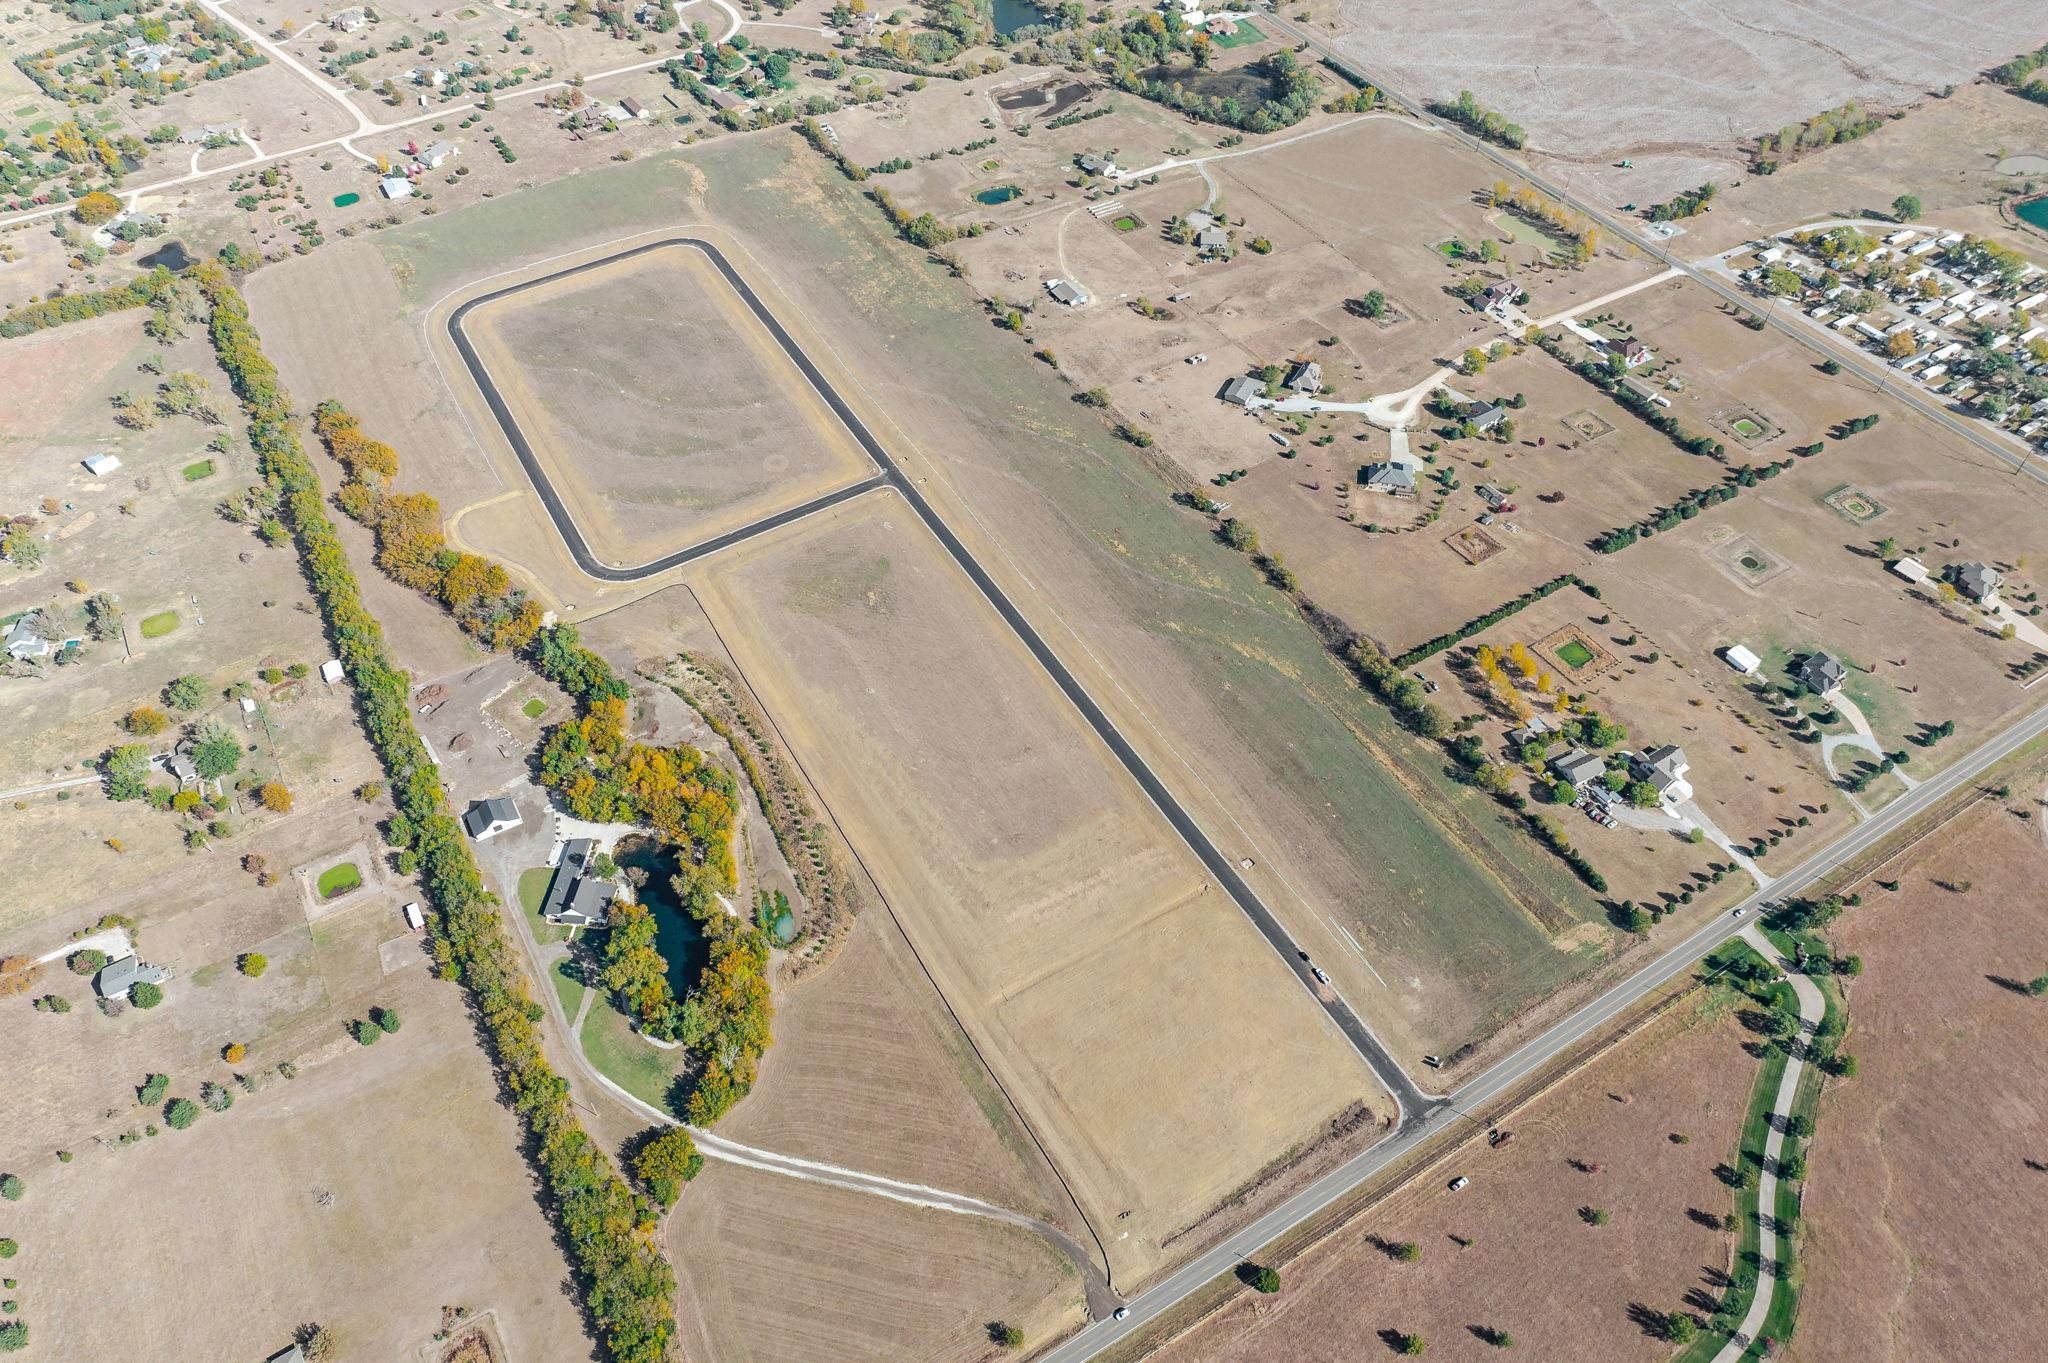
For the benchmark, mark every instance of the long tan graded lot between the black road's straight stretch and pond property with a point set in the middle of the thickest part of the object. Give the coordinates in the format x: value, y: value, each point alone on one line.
x: 1156, y: 1045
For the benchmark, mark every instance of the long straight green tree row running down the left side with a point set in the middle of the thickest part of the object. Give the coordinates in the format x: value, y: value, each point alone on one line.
x: 628, y: 1284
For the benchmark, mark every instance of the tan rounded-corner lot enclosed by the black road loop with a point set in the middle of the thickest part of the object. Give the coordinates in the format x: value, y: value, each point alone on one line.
x: 658, y: 404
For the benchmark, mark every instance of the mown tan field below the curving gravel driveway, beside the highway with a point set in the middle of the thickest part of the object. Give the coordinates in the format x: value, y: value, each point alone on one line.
x: 783, y: 1270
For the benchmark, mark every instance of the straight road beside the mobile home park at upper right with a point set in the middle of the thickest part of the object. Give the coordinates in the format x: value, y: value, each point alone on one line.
x: 1820, y: 345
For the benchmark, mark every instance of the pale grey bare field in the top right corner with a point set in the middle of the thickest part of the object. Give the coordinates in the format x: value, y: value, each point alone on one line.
x: 1594, y: 83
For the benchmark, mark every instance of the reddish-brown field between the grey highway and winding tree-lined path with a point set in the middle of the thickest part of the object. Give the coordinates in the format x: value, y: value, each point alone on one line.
x: 1566, y: 1290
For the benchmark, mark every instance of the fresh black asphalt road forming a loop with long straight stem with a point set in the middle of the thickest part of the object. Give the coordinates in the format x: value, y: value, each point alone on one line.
x: 1383, y: 1065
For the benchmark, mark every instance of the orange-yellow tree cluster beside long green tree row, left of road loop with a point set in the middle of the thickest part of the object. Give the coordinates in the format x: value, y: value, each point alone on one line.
x: 411, y: 543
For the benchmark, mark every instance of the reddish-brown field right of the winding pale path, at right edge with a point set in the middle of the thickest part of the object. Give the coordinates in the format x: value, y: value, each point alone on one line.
x: 1916, y: 1235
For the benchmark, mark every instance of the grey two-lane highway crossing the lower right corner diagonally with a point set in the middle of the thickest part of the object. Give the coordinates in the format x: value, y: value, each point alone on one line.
x: 1525, y: 1061
